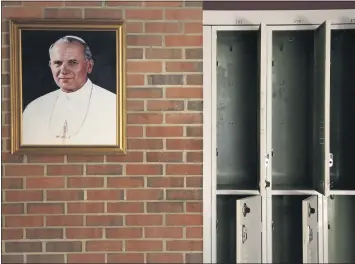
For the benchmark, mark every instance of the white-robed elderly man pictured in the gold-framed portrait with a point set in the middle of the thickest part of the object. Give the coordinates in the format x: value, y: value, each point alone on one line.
x: 79, y: 112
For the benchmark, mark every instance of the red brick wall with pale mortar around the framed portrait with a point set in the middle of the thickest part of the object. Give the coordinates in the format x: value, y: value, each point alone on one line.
x: 142, y: 207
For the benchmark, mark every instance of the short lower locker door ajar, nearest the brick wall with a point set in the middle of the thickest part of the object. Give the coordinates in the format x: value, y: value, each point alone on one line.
x: 248, y: 231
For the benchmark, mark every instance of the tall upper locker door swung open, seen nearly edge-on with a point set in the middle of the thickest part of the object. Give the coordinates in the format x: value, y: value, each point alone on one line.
x: 321, y: 98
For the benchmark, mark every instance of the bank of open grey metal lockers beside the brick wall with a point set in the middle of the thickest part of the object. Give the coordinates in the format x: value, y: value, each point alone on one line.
x: 281, y: 107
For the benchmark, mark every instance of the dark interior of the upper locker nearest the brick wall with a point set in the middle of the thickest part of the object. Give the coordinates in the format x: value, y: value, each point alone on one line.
x: 237, y: 109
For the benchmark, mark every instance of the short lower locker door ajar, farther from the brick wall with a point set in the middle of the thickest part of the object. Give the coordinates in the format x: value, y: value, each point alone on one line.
x: 310, y: 220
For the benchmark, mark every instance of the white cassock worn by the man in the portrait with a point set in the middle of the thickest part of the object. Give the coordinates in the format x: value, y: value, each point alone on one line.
x: 84, y: 117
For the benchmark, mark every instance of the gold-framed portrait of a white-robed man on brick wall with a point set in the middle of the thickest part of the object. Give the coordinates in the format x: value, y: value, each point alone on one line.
x: 67, y: 83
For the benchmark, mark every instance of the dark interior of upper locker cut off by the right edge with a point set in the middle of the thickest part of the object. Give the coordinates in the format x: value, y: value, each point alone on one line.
x: 342, y: 109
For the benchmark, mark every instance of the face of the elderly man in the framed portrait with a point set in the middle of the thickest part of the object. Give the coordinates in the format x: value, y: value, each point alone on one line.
x: 69, y: 65
